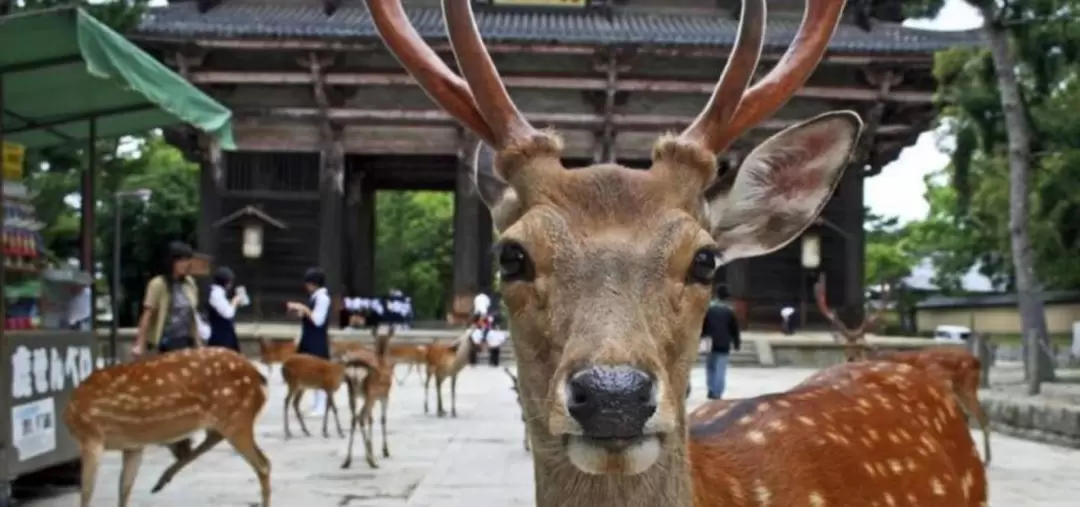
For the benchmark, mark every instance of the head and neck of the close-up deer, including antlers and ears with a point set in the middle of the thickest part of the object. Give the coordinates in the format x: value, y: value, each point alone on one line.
x: 606, y: 271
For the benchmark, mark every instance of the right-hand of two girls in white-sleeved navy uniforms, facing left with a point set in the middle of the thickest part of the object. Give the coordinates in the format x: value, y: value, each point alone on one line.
x: 315, y: 324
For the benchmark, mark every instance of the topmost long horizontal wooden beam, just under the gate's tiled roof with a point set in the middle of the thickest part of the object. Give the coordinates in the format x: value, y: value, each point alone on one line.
x: 923, y: 60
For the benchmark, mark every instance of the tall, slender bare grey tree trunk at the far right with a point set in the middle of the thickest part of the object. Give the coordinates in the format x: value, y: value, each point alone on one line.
x: 1039, y: 361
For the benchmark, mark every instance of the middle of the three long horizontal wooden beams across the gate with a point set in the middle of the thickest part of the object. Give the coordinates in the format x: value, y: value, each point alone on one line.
x: 538, y: 83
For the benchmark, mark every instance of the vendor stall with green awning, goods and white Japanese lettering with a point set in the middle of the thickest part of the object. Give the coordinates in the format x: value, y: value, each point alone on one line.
x: 65, y: 78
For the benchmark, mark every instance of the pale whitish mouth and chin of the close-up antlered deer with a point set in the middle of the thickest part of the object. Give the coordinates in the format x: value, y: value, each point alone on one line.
x: 614, y: 457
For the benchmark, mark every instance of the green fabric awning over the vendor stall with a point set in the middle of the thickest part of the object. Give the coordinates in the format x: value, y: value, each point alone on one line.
x: 62, y: 68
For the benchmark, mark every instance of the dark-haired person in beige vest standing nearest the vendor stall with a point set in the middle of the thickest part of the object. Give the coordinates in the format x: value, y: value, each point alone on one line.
x: 169, y: 321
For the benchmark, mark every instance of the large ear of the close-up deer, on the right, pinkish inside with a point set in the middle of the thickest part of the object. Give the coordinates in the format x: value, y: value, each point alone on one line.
x: 784, y: 185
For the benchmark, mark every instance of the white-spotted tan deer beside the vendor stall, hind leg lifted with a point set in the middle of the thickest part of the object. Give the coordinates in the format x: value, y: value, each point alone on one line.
x: 163, y: 402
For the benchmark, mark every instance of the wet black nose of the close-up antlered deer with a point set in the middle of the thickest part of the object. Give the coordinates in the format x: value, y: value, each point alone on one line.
x: 612, y: 403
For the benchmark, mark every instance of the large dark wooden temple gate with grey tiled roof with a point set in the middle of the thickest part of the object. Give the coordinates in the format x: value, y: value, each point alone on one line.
x: 326, y: 117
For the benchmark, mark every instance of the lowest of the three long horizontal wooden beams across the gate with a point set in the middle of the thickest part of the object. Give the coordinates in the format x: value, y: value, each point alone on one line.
x: 574, y: 121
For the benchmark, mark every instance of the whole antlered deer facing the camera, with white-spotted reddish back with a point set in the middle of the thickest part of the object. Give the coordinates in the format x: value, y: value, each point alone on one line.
x: 607, y: 274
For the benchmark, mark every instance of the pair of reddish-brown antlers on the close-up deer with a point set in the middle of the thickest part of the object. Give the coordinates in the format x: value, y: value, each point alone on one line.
x: 481, y: 101
